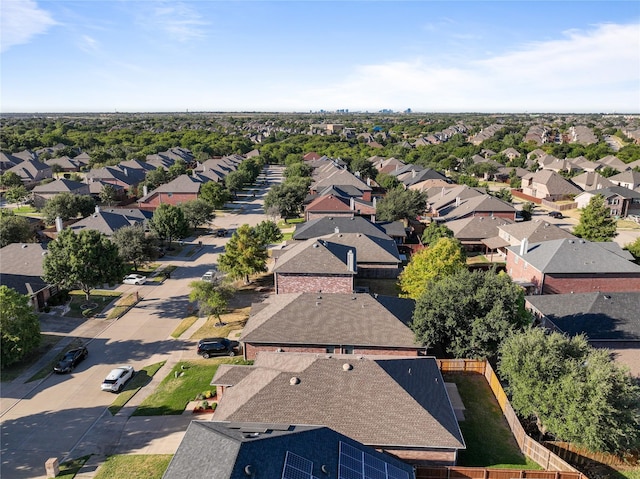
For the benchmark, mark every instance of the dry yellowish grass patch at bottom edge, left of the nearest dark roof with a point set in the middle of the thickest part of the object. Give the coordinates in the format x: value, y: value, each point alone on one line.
x: 134, y: 466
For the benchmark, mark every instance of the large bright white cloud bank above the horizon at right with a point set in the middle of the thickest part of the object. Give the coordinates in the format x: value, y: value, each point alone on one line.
x: 596, y: 70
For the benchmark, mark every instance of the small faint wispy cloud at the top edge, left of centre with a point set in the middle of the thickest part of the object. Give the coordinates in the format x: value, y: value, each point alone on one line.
x: 179, y: 21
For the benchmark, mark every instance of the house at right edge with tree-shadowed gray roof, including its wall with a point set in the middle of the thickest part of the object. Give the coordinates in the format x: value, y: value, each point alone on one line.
x: 609, y: 320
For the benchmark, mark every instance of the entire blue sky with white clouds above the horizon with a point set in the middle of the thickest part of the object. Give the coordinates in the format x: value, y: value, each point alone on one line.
x: 430, y: 56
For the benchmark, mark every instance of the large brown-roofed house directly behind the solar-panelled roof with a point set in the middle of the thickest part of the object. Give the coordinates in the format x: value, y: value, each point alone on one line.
x: 398, y: 406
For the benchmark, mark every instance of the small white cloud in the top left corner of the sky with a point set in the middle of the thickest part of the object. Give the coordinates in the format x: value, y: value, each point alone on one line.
x: 21, y: 21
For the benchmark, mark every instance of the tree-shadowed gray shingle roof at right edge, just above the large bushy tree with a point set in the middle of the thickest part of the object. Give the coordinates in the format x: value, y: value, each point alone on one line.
x: 601, y: 316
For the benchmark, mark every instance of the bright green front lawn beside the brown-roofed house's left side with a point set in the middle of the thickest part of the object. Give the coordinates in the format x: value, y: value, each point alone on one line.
x: 183, y: 384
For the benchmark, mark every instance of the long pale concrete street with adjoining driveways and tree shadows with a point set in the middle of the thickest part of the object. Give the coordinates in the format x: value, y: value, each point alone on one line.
x: 65, y: 416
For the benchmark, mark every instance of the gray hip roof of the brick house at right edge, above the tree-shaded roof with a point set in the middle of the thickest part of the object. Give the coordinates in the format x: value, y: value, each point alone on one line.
x: 577, y: 256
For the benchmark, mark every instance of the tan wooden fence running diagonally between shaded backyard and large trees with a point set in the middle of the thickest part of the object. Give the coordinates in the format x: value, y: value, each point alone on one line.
x: 529, y: 447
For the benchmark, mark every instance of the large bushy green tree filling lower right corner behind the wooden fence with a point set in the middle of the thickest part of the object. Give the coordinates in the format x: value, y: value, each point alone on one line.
x: 574, y: 392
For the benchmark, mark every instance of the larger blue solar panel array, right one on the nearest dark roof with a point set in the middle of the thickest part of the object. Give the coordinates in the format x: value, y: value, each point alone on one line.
x: 356, y: 464
